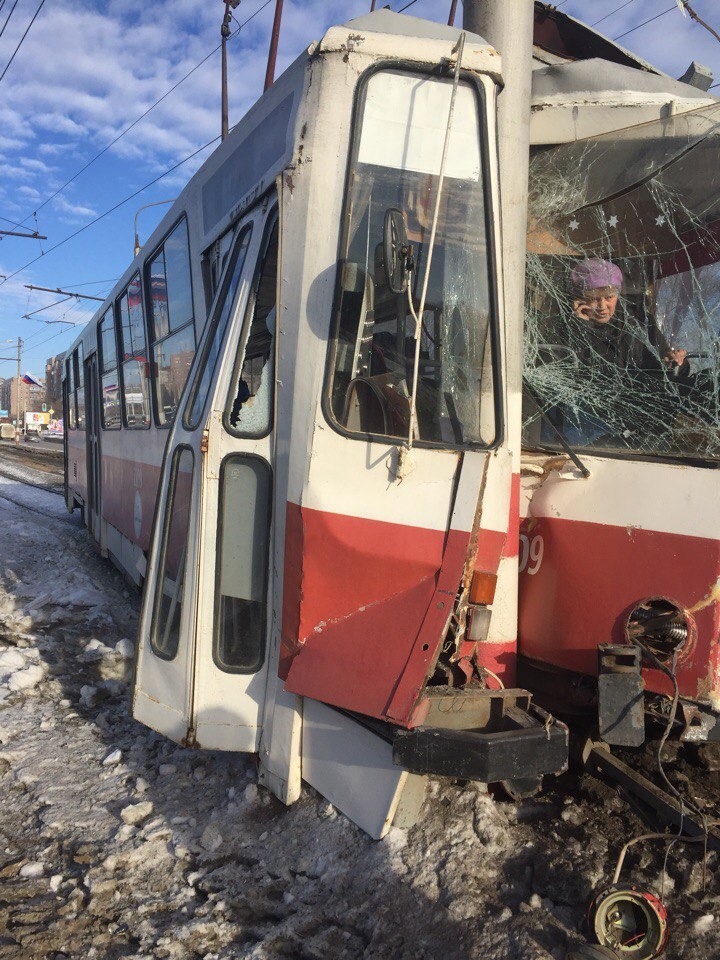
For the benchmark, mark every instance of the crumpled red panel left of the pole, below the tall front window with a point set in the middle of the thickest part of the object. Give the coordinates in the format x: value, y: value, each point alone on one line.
x: 365, y: 605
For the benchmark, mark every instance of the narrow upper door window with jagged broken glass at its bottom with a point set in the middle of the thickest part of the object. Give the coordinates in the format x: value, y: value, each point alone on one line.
x: 252, y: 406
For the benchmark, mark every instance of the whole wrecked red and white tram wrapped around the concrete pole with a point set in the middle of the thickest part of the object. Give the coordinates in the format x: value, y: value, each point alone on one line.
x: 242, y: 410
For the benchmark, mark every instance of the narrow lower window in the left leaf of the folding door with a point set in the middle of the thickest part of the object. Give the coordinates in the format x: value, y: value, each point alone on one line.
x: 168, y: 600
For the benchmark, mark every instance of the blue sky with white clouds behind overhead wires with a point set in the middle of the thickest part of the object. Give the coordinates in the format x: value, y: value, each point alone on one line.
x: 89, y: 68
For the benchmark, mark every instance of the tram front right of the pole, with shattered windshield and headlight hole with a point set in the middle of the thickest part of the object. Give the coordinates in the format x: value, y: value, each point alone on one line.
x: 620, y: 541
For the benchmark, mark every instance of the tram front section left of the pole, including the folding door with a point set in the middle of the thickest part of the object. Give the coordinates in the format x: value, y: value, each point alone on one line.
x: 336, y: 494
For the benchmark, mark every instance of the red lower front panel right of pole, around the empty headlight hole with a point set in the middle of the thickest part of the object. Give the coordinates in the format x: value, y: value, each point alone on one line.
x: 592, y: 575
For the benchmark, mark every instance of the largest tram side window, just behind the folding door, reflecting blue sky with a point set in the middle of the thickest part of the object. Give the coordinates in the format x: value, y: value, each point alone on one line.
x: 172, y: 322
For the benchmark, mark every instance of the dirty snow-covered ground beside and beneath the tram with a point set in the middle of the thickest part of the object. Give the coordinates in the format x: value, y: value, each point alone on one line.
x: 117, y: 843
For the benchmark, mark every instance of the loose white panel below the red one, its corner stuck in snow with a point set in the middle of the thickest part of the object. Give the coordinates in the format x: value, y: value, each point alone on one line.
x: 351, y: 767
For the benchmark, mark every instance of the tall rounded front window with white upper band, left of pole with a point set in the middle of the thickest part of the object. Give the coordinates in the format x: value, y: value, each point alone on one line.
x: 396, y: 164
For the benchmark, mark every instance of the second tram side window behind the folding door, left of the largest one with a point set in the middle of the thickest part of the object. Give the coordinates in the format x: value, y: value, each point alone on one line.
x: 135, y: 370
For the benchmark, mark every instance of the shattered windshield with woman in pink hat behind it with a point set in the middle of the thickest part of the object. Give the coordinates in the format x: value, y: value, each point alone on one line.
x: 629, y: 365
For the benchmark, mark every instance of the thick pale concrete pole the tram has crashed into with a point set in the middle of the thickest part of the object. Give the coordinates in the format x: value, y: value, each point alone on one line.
x: 508, y: 26
